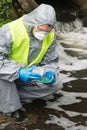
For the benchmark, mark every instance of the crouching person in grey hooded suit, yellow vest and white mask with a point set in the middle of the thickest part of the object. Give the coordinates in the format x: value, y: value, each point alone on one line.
x: 28, y: 60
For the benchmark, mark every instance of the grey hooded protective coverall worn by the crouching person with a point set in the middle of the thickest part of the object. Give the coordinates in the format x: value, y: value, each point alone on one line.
x: 13, y: 90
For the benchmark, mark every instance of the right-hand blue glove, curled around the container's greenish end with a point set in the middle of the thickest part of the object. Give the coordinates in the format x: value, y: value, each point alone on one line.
x: 48, y: 78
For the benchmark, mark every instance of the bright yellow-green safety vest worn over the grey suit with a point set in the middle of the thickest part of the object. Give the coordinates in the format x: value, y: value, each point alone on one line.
x: 21, y: 43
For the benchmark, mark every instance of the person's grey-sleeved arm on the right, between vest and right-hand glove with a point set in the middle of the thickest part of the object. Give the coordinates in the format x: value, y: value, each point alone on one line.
x: 50, y: 60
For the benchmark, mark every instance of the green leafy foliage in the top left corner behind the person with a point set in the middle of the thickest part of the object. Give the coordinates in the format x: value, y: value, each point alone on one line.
x: 4, y: 11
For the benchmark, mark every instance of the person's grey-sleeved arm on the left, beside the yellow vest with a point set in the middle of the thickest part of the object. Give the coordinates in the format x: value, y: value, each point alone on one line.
x: 8, y: 68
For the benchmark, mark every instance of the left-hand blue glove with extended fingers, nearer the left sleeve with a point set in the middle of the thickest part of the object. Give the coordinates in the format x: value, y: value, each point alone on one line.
x: 26, y: 74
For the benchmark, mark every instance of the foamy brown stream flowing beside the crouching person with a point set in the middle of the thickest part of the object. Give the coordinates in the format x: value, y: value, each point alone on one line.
x: 67, y: 109
